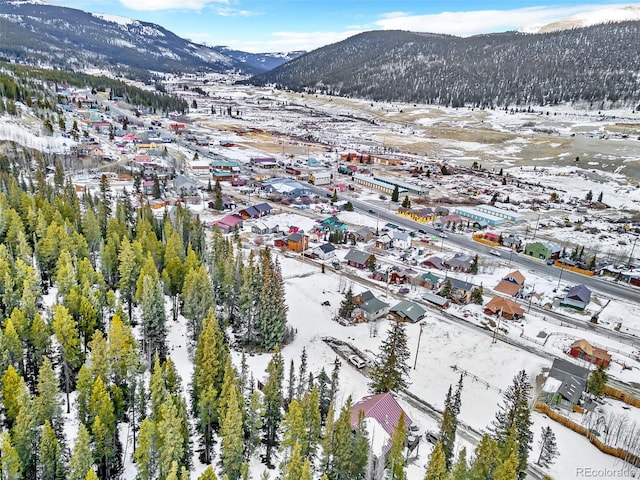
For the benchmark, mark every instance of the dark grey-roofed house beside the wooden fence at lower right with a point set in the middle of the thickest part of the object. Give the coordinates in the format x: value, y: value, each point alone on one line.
x: 565, y: 384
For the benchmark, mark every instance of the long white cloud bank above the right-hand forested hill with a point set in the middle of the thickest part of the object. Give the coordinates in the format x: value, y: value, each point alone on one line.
x: 481, y: 21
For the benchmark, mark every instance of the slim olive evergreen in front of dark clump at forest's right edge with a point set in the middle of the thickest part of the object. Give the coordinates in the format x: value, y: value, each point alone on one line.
x: 272, y: 391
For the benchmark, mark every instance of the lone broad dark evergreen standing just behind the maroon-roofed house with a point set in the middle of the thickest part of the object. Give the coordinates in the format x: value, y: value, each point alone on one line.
x: 391, y: 369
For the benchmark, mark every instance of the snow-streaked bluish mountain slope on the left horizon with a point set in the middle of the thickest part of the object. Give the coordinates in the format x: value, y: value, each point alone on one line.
x: 56, y: 36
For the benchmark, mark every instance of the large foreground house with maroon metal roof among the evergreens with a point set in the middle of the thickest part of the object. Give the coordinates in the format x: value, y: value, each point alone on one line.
x: 381, y: 414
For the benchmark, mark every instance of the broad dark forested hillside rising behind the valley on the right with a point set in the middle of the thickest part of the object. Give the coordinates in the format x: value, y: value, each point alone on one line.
x: 595, y: 64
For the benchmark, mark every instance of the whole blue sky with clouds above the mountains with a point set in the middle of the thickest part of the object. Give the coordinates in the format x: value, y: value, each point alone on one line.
x: 284, y: 25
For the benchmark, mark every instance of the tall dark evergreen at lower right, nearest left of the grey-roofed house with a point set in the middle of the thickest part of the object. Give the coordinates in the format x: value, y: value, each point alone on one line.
x: 515, y: 410
